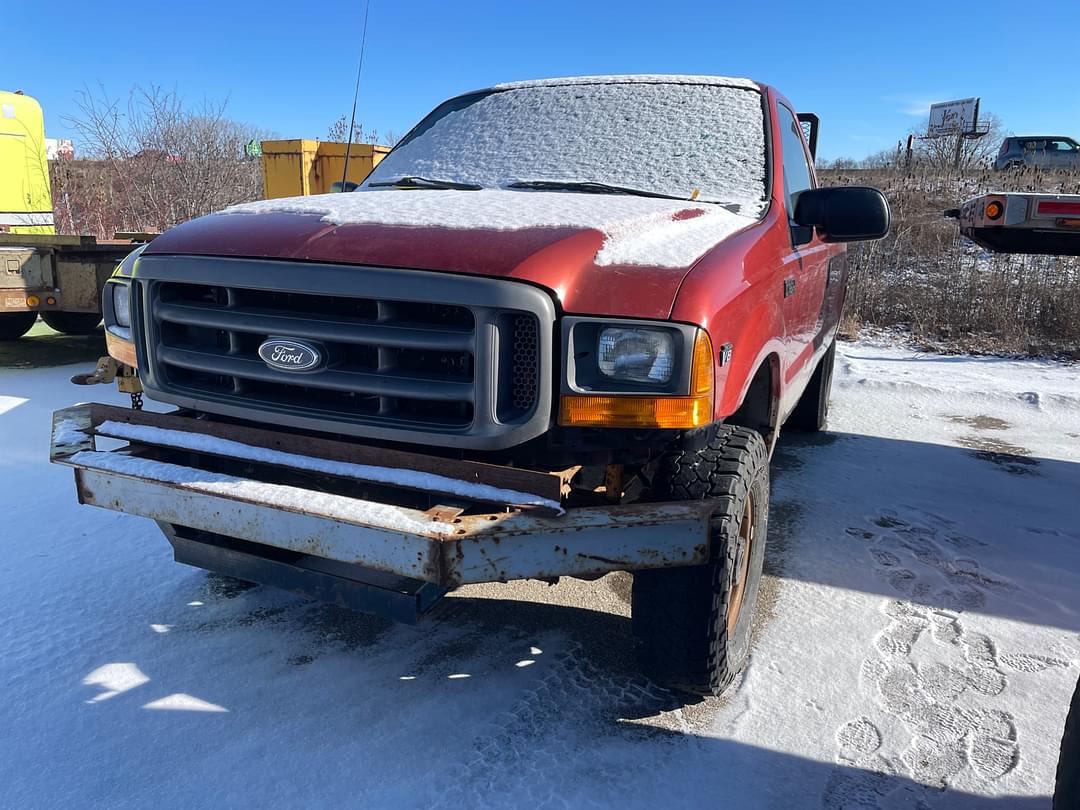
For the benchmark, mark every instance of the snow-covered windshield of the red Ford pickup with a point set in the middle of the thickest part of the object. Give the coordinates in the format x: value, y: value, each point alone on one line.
x: 698, y: 141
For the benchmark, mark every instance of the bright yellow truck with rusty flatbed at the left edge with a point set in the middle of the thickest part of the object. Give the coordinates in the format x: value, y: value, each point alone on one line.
x: 59, y: 278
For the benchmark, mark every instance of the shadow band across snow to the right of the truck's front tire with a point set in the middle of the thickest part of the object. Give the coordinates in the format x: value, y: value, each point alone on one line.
x: 965, y: 529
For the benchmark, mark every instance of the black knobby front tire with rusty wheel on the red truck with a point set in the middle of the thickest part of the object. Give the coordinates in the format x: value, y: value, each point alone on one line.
x: 693, y: 625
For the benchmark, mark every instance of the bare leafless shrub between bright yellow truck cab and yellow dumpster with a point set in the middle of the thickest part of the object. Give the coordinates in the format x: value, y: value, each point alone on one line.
x: 161, y: 163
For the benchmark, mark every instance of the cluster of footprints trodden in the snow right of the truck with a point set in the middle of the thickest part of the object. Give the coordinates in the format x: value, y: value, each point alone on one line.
x: 942, y: 705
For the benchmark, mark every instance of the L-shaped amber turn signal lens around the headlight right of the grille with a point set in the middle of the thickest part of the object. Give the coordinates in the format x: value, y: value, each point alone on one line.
x: 607, y: 411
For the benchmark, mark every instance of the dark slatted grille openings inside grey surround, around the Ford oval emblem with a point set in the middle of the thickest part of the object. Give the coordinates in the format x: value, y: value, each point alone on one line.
x: 385, y: 361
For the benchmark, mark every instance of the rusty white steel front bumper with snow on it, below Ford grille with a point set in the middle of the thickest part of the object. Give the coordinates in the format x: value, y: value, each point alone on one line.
x: 227, y: 480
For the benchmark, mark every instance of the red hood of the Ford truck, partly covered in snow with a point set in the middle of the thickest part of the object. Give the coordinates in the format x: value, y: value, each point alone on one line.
x: 601, y: 254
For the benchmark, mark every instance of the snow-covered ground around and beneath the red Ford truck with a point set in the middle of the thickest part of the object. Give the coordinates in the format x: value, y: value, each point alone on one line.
x: 916, y: 643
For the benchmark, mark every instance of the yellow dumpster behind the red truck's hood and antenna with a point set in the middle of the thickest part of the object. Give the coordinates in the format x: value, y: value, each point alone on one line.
x: 299, y: 168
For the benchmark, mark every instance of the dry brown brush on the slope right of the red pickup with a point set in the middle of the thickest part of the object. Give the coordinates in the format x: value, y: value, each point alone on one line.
x: 948, y: 291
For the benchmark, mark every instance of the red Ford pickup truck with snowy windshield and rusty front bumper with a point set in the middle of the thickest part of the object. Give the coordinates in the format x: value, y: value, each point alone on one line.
x: 556, y: 333
